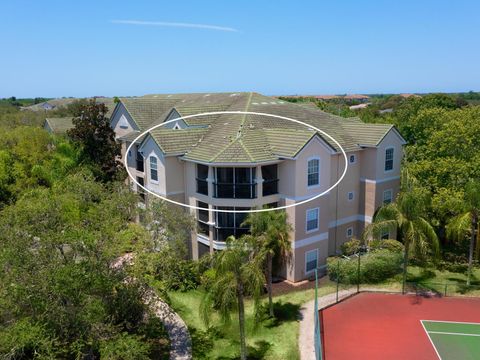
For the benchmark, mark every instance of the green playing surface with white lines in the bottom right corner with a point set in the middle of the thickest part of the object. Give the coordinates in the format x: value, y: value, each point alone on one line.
x: 454, y: 340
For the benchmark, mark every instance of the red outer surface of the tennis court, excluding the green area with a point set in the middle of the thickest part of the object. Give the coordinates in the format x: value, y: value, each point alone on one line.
x: 378, y: 326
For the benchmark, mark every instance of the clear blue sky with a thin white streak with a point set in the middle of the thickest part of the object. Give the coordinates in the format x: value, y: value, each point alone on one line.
x: 86, y: 48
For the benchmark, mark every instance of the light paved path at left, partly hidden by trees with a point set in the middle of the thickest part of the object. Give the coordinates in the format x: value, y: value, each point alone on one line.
x: 177, y: 330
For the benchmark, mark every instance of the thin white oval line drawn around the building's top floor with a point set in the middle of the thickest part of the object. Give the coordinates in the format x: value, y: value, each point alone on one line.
x: 237, y: 113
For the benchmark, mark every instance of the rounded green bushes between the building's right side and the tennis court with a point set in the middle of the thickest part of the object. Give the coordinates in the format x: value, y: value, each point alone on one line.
x: 375, y: 267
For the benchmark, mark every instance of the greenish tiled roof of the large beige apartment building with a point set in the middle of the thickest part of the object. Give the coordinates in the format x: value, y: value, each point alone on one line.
x: 245, y: 138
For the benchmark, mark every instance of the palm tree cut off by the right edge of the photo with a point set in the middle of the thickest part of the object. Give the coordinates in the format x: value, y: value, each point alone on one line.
x: 466, y: 224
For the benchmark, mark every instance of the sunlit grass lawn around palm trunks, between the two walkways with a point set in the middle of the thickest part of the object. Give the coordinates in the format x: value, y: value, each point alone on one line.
x: 273, y: 339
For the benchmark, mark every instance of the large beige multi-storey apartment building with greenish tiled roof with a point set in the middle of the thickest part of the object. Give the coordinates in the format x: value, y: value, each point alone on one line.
x: 243, y: 162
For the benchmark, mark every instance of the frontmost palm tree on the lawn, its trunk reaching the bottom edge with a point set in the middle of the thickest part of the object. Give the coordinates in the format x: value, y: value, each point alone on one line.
x: 238, y: 273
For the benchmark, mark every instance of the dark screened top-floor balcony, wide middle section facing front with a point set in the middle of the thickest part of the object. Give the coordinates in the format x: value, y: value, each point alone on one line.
x: 235, y: 183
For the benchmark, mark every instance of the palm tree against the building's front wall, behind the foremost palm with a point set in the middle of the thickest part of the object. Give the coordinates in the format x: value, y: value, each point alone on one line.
x: 271, y: 232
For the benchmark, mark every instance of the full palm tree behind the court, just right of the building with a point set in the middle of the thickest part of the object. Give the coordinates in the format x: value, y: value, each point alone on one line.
x: 405, y: 216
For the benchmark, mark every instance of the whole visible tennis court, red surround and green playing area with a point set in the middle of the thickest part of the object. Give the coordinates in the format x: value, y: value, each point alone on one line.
x: 378, y: 326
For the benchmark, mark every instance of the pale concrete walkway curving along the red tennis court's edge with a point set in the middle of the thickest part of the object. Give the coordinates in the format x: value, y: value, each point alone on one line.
x: 307, y: 319
